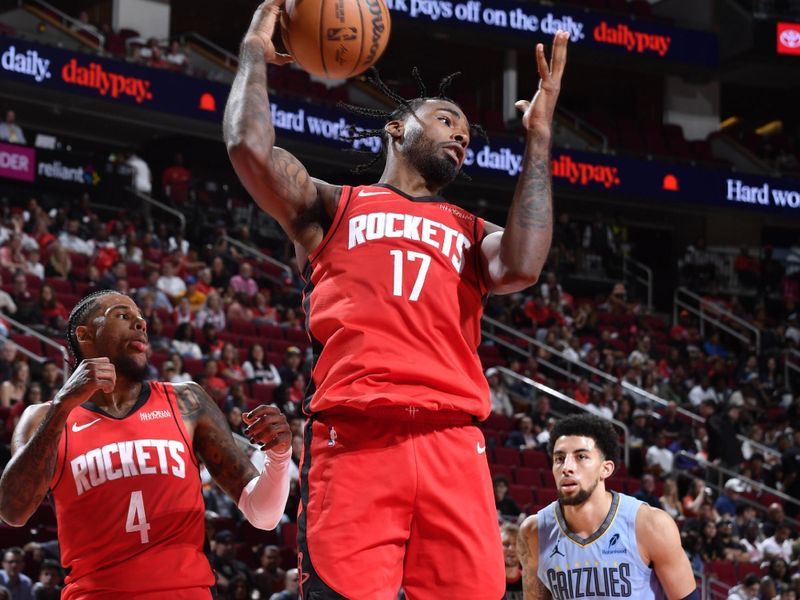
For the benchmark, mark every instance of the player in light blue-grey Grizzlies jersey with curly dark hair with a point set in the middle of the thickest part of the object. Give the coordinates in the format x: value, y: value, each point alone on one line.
x: 592, y: 543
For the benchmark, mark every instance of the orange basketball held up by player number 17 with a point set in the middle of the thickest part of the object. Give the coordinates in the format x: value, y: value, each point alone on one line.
x: 336, y: 39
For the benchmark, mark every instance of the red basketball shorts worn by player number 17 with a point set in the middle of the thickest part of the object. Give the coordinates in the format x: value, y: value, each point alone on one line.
x: 397, y: 497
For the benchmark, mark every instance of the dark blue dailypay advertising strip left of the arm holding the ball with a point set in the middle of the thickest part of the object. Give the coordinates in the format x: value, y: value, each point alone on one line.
x: 112, y: 80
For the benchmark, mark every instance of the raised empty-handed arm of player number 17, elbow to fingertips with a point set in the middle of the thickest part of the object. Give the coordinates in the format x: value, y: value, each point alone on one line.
x: 512, y: 259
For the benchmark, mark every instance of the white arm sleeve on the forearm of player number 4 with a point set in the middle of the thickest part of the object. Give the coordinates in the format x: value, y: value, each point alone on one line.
x: 263, y: 500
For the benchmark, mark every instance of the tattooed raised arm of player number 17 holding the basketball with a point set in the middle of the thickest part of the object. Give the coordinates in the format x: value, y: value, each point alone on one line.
x: 277, y: 181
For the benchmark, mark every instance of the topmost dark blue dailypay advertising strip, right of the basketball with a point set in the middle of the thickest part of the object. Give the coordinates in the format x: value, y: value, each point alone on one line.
x: 533, y: 22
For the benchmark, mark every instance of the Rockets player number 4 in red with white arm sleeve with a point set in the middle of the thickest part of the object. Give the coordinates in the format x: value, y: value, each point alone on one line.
x: 120, y: 455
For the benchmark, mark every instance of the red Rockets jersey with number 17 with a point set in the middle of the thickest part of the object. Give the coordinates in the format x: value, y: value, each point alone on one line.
x: 393, y: 300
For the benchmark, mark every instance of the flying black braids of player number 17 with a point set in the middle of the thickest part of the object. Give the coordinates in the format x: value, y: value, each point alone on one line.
x: 404, y: 107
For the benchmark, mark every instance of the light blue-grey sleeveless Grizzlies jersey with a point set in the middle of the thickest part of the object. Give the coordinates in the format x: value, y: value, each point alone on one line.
x: 605, y: 565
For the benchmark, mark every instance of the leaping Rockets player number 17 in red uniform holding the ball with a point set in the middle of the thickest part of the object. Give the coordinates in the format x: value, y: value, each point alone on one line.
x: 395, y: 487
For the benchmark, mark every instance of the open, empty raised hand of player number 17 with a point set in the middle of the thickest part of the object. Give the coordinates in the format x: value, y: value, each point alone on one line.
x: 538, y: 113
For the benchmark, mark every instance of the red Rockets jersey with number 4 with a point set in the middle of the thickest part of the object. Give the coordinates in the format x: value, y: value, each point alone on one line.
x: 129, y: 504
